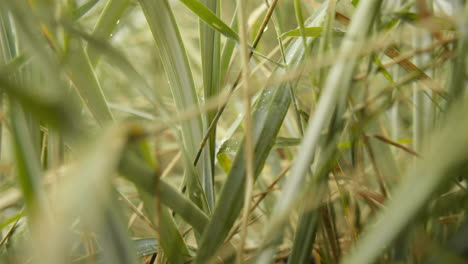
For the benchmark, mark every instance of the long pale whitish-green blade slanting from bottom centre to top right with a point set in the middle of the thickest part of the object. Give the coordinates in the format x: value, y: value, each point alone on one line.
x: 335, y: 90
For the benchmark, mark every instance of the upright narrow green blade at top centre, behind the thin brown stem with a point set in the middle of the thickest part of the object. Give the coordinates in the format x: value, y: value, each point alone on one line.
x: 210, y: 58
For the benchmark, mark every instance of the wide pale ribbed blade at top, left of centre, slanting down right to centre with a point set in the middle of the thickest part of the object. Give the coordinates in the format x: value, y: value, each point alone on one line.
x: 174, y: 58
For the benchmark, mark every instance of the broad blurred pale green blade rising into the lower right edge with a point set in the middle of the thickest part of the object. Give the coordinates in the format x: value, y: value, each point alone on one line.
x: 412, y: 194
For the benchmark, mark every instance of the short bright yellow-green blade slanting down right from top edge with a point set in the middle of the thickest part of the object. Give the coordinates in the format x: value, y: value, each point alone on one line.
x: 210, y: 18
